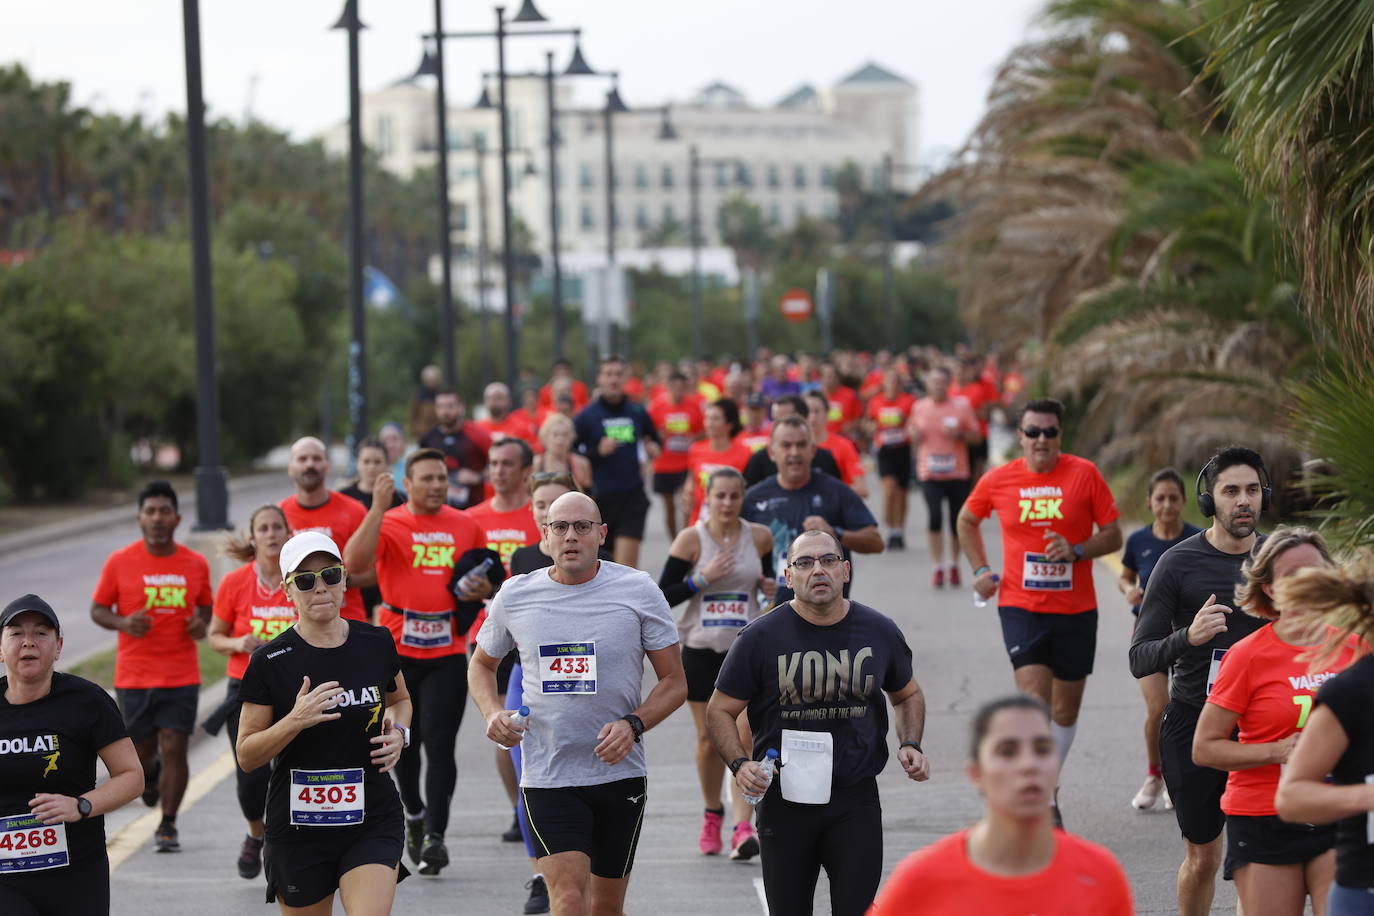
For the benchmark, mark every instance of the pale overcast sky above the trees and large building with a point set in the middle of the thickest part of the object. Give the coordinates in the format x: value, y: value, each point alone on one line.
x: 281, y: 62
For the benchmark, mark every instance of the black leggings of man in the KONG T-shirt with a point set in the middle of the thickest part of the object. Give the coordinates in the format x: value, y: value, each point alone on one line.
x: 843, y: 837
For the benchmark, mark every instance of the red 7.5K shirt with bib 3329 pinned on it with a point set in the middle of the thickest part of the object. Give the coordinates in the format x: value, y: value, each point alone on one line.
x: 1068, y: 501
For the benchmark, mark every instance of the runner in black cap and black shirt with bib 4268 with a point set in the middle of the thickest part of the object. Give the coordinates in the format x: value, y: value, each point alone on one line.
x: 53, y: 729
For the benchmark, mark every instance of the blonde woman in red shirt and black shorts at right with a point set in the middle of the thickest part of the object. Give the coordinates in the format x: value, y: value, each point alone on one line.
x: 1265, y: 687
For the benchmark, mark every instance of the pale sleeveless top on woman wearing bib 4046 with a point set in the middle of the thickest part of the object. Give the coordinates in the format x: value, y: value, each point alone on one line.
x: 719, y: 612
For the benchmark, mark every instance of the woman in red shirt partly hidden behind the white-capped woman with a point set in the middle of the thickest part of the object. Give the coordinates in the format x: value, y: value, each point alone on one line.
x: 251, y: 610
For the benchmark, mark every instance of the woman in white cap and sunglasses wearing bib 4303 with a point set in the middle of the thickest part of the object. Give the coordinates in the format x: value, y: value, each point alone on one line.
x: 326, y: 704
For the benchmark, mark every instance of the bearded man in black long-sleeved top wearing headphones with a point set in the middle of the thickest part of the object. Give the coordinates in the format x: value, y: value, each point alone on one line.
x: 1186, y: 626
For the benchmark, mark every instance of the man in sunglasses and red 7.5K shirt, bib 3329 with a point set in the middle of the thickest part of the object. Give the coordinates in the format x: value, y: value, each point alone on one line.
x: 1057, y: 514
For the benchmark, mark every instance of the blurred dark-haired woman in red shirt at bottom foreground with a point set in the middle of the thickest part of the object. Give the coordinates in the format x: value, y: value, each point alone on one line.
x: 1013, y: 862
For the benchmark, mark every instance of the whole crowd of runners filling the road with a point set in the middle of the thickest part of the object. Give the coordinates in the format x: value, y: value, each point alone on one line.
x: 498, y: 558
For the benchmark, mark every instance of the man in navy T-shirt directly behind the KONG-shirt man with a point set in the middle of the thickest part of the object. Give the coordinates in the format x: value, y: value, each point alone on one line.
x: 798, y: 499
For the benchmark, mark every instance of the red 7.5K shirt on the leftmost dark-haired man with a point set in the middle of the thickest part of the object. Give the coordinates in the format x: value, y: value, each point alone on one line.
x: 171, y: 588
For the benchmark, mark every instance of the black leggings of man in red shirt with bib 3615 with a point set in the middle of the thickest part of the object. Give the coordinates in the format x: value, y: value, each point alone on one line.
x: 439, y: 696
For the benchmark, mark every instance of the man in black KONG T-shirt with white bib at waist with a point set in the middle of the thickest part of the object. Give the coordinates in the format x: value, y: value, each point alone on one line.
x: 813, y: 675
